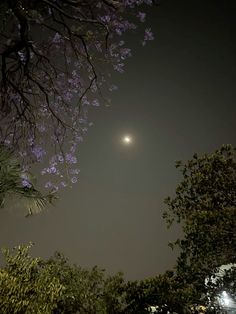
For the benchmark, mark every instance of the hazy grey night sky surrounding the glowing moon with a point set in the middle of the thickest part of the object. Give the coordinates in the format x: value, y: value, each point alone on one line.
x: 176, y: 97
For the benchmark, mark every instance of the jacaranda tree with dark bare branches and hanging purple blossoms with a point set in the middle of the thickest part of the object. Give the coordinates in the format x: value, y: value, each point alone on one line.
x: 55, y: 58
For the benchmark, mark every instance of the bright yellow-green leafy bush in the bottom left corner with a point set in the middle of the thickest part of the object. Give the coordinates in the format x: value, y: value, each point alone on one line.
x: 26, y: 286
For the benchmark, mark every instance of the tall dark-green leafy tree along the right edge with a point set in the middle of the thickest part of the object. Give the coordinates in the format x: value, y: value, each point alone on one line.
x: 205, y: 205
